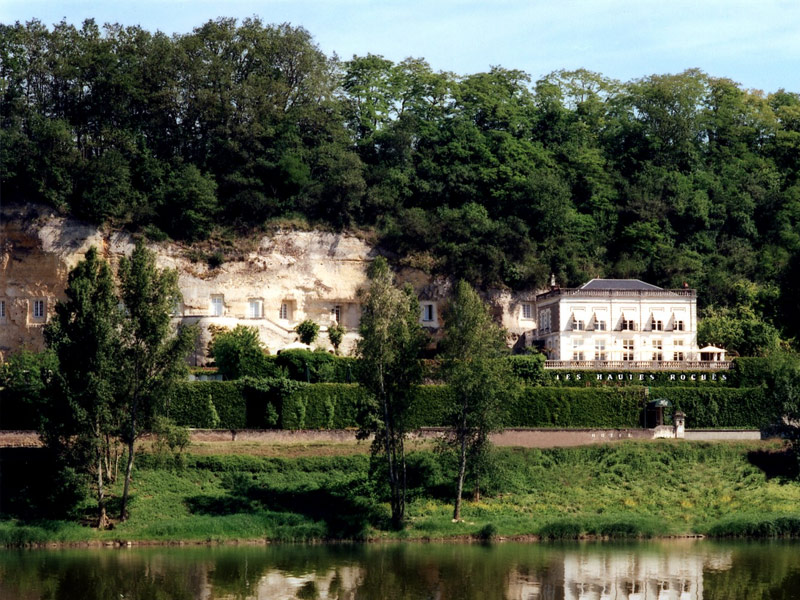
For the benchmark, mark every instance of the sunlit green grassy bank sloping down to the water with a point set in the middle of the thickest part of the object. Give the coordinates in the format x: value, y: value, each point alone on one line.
x: 629, y: 489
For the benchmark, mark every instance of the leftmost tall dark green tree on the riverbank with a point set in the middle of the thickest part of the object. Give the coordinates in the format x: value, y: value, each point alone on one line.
x: 85, y: 336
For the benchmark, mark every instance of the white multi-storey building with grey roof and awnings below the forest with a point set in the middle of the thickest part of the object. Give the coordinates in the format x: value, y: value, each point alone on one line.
x: 618, y: 323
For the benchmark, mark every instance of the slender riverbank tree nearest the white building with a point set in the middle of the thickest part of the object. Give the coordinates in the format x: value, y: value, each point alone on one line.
x: 480, y: 380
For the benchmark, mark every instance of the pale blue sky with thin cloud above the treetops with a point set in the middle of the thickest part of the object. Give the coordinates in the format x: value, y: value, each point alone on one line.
x: 754, y: 42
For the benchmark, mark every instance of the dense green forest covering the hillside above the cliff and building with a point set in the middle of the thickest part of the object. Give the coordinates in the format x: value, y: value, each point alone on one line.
x: 489, y: 176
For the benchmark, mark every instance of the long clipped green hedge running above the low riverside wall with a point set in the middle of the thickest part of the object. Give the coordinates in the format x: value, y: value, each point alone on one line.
x: 285, y: 404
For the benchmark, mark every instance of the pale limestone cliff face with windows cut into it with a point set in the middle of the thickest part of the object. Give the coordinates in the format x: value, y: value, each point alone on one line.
x: 278, y: 282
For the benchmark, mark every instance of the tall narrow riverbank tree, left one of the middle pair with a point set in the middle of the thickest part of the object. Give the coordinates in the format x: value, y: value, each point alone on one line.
x: 391, y: 340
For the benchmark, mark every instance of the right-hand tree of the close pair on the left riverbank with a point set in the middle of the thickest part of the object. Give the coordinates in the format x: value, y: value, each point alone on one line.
x: 153, y: 354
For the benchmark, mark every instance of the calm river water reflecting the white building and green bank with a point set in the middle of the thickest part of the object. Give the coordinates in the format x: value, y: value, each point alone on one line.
x: 665, y: 570
